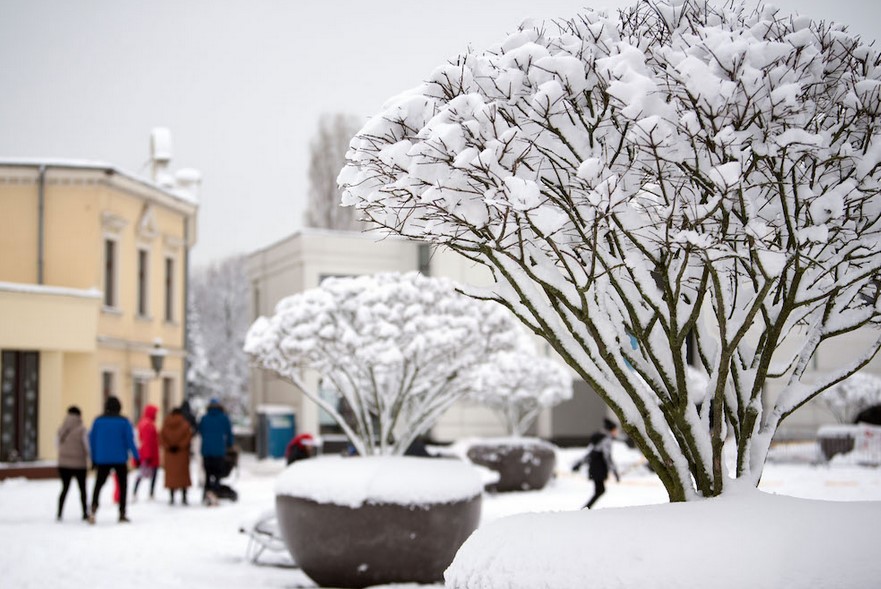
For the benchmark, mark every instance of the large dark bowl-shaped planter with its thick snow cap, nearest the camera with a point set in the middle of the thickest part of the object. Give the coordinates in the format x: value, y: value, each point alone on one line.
x: 355, y: 528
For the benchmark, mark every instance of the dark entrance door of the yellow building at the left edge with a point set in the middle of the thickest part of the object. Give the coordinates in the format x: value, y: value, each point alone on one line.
x: 19, y: 396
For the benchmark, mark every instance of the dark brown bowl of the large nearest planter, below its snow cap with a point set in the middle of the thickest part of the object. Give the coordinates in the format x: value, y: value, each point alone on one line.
x: 376, y: 543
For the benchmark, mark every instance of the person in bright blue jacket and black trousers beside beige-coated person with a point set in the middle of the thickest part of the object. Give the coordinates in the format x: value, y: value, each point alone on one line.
x: 111, y: 440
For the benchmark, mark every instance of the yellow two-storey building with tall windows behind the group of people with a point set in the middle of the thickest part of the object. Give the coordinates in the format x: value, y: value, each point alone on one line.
x: 93, y: 267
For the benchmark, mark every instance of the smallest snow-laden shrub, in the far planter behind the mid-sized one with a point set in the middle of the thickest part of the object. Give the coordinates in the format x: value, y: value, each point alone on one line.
x: 519, y: 385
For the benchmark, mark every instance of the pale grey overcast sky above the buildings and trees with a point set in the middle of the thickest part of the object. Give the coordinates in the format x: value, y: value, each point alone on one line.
x: 241, y: 84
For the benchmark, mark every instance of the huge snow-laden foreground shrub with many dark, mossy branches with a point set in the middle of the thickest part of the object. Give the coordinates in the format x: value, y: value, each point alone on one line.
x: 677, y: 171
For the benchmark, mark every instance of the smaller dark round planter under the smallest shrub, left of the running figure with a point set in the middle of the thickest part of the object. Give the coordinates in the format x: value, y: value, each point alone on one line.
x: 522, y: 464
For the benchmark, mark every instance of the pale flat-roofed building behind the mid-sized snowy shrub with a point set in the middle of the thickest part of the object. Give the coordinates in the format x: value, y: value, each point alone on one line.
x: 302, y: 260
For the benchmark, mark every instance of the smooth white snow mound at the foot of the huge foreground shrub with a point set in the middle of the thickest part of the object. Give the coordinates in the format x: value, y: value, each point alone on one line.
x: 745, y: 539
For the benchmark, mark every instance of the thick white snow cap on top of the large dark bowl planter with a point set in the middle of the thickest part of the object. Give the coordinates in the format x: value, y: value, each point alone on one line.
x: 404, y: 480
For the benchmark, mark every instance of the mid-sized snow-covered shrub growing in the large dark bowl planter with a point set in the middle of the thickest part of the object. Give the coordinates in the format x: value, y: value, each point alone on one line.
x: 399, y: 349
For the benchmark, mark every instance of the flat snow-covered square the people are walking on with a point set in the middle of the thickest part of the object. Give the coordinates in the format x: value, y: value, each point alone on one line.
x: 196, y: 546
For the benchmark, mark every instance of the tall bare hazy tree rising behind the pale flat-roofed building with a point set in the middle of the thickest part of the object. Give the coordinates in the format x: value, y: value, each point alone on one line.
x: 327, y: 154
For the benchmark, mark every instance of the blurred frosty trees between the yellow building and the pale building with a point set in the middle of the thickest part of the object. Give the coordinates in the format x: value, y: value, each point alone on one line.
x: 220, y: 299
